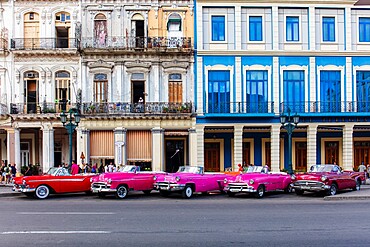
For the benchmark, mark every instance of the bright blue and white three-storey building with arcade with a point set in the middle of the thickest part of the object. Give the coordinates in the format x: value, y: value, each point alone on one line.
x: 258, y: 60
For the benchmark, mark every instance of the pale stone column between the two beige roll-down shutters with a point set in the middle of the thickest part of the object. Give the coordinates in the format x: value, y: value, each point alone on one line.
x: 120, y: 153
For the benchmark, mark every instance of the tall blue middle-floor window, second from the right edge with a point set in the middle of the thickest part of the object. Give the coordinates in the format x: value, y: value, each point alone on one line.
x: 330, y: 91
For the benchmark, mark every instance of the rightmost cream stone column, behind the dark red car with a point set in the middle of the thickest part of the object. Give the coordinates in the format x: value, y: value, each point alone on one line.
x: 347, y: 161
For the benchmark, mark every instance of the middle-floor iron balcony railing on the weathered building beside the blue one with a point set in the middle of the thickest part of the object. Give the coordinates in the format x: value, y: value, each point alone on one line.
x: 135, y: 108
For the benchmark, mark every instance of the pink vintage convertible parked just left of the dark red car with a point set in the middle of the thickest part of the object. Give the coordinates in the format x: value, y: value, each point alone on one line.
x: 257, y: 180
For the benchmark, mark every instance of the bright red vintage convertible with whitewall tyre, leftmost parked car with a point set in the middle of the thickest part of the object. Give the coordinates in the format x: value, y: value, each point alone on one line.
x: 57, y: 180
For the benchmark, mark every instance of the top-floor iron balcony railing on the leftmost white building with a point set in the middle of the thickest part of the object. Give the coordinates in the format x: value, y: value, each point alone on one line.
x: 42, y: 43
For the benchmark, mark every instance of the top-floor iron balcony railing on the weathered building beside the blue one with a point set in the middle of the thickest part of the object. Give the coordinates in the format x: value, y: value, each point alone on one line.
x: 130, y: 43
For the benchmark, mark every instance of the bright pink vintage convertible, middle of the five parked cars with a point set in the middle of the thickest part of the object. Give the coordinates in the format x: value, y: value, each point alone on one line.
x: 188, y: 180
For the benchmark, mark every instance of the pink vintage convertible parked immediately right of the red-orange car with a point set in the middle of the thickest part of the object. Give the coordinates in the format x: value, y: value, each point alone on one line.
x: 130, y: 178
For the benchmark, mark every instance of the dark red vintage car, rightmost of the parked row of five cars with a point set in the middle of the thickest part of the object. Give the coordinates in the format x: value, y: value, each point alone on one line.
x: 327, y: 178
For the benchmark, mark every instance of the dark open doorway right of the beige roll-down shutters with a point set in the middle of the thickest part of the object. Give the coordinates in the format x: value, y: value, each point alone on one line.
x: 175, y: 155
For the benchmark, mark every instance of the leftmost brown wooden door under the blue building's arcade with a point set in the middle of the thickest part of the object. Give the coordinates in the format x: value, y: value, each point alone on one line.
x: 212, y: 156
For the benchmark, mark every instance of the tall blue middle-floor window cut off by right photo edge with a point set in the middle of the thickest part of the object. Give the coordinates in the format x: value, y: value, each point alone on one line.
x: 363, y: 91
